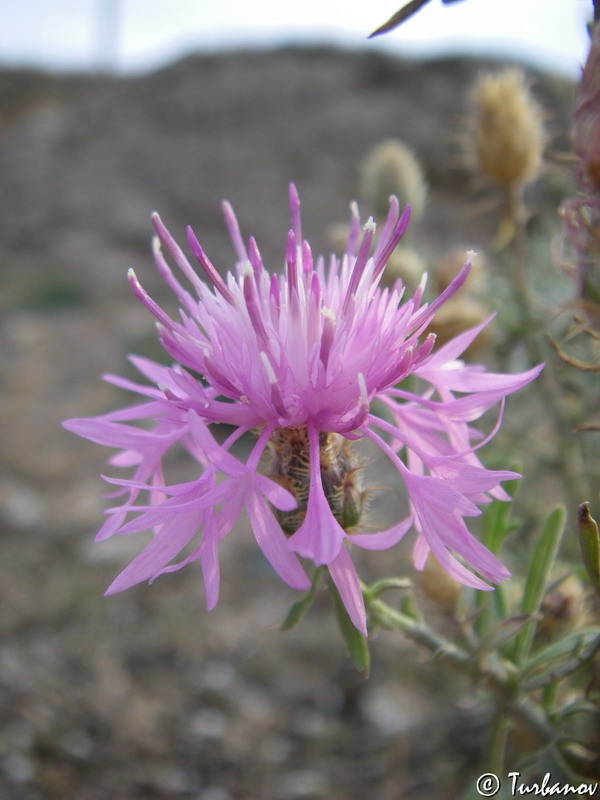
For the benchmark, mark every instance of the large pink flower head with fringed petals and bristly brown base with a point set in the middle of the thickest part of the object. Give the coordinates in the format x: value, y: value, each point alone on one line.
x: 299, y: 359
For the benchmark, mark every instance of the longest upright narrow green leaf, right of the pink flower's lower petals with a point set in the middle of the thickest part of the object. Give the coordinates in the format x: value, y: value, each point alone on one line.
x: 538, y: 573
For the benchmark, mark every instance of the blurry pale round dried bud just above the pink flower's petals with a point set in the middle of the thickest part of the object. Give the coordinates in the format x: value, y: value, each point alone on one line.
x: 392, y: 168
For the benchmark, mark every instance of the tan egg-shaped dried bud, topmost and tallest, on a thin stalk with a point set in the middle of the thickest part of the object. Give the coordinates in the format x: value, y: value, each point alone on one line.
x: 507, y: 134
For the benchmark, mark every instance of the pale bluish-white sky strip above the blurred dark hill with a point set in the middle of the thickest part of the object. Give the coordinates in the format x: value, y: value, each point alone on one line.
x: 132, y: 36
